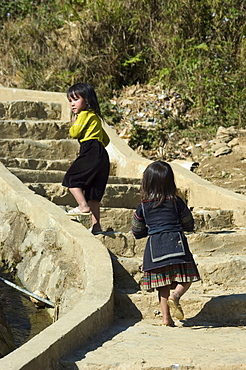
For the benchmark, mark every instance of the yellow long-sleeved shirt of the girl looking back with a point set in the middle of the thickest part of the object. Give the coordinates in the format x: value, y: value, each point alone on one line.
x: 88, y: 126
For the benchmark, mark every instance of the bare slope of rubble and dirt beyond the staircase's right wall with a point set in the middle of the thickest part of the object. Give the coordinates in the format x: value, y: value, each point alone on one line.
x: 219, y: 156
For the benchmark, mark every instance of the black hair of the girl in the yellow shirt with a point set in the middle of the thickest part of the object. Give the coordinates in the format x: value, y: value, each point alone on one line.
x: 88, y: 93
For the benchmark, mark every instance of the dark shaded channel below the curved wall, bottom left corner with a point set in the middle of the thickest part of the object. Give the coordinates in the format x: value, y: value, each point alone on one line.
x: 20, y: 320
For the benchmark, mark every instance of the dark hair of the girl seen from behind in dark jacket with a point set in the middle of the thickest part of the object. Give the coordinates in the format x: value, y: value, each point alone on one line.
x: 158, y: 183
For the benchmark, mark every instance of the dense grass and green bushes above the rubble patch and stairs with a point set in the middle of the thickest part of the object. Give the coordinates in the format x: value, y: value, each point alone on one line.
x: 198, y: 47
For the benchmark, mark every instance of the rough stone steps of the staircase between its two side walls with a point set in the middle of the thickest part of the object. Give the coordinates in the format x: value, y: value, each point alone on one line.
x: 38, y: 151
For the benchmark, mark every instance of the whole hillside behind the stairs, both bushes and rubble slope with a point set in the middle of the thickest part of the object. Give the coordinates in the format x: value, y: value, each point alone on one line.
x: 181, y: 64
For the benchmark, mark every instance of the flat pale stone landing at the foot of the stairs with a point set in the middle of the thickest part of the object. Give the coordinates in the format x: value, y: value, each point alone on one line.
x: 139, y: 345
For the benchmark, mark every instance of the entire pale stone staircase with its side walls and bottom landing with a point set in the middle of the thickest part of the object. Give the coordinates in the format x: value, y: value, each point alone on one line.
x: 62, y: 258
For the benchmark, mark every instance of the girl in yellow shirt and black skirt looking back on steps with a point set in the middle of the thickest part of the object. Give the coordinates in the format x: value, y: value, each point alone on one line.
x: 88, y: 175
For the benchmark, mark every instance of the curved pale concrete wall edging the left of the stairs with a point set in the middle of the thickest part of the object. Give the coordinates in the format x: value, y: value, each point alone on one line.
x: 92, y: 313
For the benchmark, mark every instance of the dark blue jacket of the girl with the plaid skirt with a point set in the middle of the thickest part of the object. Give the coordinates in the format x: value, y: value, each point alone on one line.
x: 165, y: 226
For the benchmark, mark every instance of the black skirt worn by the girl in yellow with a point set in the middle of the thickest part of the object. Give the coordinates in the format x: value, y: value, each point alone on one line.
x: 89, y: 171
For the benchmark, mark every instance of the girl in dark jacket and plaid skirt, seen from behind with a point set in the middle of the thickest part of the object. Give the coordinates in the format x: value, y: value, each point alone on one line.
x: 163, y: 217
